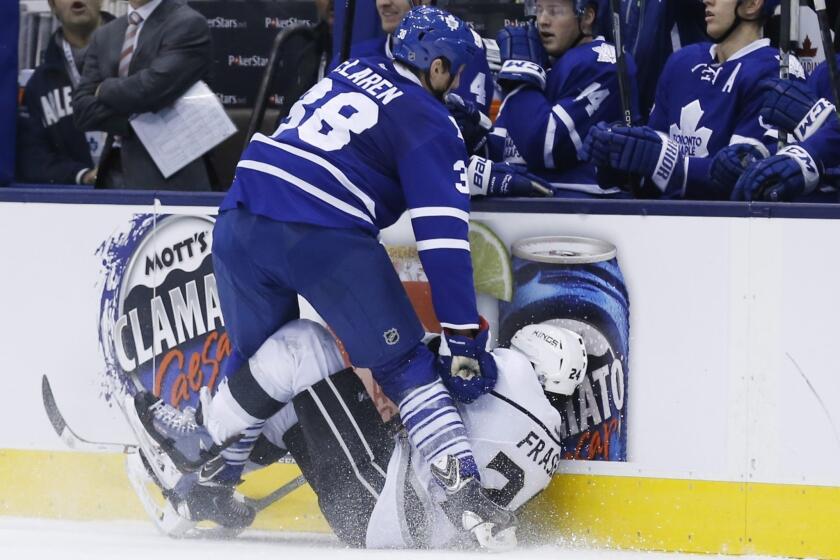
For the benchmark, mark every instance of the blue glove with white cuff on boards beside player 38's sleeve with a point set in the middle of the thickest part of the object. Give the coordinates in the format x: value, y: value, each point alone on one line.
x: 489, y: 178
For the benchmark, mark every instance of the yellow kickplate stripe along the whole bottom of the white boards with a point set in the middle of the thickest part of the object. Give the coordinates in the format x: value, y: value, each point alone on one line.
x: 599, y: 511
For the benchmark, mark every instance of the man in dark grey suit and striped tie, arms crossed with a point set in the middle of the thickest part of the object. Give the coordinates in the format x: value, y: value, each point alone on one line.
x: 139, y: 63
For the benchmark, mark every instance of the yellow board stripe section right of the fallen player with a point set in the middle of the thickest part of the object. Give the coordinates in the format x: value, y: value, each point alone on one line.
x: 677, y: 515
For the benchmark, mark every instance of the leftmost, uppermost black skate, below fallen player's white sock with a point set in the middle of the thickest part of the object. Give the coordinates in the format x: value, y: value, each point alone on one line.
x: 176, y: 432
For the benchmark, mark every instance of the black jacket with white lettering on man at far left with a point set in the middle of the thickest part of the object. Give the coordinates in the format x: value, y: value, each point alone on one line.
x: 51, y: 149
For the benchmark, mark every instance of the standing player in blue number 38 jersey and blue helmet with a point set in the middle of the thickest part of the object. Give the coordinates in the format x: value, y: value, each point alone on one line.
x: 368, y: 142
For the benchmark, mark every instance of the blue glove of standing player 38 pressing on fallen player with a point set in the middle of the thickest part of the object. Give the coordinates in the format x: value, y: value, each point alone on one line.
x: 466, y: 366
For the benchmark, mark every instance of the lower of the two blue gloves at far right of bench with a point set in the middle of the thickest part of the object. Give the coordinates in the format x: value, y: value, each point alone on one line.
x: 784, y: 176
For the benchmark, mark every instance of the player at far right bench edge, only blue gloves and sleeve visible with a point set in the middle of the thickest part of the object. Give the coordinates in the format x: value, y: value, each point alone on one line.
x: 800, y: 171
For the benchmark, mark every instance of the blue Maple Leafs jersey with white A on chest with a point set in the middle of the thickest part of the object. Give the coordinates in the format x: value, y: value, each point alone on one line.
x: 705, y: 106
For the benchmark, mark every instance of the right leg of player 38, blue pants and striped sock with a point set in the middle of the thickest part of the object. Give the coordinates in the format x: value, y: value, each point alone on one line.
x: 358, y: 293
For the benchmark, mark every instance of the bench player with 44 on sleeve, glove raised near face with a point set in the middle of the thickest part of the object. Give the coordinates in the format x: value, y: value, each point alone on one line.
x: 546, y: 115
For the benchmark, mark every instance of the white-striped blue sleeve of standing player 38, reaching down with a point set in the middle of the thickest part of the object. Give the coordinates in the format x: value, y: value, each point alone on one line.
x: 433, y: 176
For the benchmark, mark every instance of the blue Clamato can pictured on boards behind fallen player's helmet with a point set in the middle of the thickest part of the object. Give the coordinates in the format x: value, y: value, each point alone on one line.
x: 576, y: 283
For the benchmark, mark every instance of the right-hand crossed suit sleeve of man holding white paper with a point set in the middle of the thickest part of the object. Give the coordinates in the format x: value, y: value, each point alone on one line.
x: 184, y: 57
